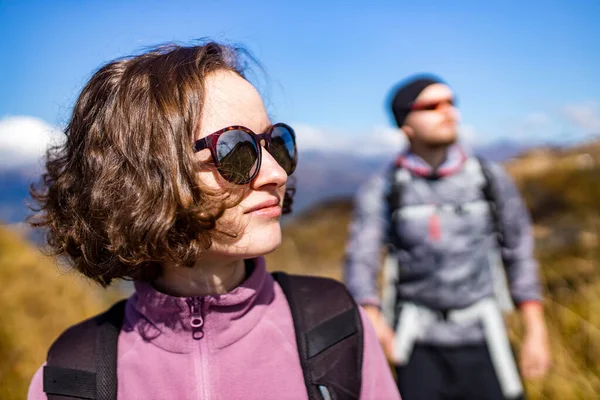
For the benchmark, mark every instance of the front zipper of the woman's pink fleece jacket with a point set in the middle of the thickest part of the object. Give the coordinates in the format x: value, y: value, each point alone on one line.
x: 197, y: 311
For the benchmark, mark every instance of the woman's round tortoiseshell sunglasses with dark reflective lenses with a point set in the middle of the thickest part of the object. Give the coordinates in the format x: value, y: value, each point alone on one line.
x: 237, y: 154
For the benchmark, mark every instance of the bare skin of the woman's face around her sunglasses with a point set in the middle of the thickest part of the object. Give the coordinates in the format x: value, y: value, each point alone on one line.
x: 231, y: 100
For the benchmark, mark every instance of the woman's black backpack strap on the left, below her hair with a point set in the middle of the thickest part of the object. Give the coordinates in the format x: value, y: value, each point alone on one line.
x: 82, y: 362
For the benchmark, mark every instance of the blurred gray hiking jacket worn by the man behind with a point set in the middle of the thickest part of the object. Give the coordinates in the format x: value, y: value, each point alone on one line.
x: 448, y: 246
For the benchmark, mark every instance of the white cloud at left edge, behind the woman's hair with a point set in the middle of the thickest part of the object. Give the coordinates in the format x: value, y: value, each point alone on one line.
x: 24, y: 140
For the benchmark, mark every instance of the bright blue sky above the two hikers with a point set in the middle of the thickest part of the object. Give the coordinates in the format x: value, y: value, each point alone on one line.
x: 523, y: 70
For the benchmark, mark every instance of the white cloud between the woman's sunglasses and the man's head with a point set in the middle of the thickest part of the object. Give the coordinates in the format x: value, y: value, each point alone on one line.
x: 379, y: 140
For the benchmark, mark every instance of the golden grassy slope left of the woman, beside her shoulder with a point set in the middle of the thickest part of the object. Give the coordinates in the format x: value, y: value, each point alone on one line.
x: 38, y: 302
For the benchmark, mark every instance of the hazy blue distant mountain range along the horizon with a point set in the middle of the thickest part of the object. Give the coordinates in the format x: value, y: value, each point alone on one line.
x: 320, y: 175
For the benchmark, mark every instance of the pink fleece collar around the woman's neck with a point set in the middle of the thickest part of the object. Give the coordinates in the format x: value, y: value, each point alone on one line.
x: 167, y: 321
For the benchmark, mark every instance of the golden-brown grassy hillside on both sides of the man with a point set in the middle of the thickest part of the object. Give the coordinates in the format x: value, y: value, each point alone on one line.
x: 562, y: 190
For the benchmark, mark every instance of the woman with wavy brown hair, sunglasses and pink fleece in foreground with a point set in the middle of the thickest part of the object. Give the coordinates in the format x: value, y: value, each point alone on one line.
x: 173, y: 175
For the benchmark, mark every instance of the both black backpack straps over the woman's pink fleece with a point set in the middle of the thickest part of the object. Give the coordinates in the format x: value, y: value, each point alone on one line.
x: 82, y: 362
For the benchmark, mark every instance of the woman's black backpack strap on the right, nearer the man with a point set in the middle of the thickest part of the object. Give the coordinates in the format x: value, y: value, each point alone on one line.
x: 329, y: 335
